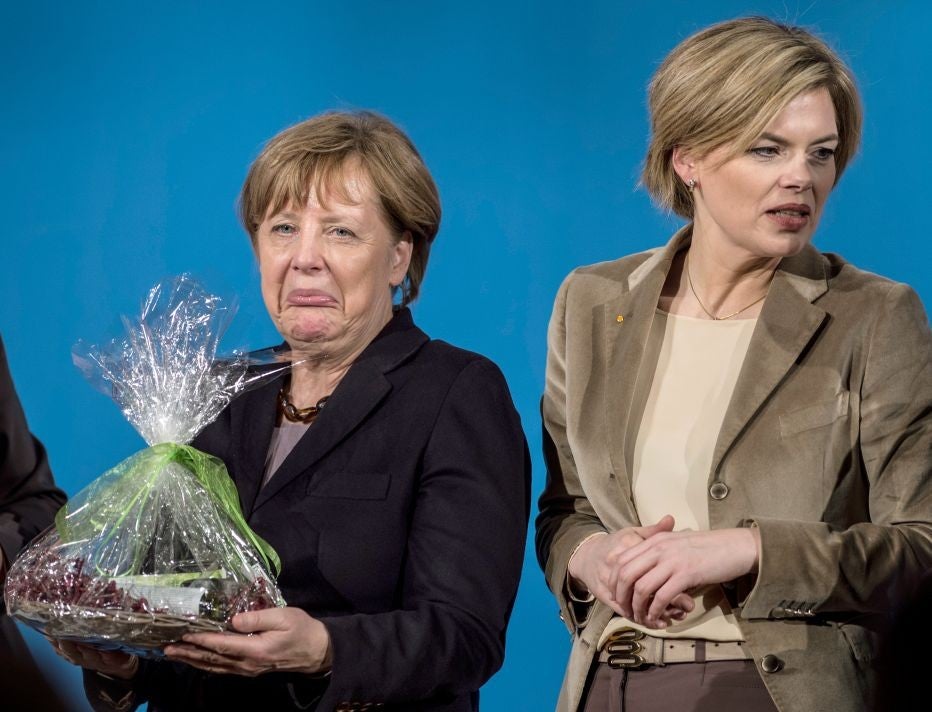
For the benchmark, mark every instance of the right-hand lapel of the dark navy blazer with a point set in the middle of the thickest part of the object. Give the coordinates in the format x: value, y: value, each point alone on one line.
x: 362, y: 389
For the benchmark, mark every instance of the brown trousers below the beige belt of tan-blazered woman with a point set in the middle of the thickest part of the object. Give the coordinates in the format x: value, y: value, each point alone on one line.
x: 721, y: 686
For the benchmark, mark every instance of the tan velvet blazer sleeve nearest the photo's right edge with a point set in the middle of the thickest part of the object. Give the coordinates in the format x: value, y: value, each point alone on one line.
x: 807, y: 568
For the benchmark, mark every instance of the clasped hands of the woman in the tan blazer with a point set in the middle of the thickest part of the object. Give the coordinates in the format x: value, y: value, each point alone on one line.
x: 645, y: 573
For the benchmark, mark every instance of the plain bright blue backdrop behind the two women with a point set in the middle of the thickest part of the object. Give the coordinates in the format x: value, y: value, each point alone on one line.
x: 127, y: 129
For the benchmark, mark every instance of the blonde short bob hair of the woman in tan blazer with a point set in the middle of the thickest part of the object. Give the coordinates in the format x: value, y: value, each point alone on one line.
x: 723, y: 85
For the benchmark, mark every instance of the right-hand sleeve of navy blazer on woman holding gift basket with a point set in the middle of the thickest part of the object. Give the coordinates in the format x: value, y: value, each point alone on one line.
x: 464, y: 556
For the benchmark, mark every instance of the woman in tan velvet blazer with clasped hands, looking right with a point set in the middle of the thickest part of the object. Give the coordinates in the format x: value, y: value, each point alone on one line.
x: 738, y: 428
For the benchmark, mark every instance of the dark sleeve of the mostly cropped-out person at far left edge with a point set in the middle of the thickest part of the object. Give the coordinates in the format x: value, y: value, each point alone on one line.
x: 28, y: 495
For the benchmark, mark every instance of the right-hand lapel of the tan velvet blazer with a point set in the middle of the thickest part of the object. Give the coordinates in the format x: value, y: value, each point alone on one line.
x: 787, y: 324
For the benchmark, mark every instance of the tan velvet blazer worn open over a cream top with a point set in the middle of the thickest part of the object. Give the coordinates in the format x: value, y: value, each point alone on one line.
x: 826, y: 446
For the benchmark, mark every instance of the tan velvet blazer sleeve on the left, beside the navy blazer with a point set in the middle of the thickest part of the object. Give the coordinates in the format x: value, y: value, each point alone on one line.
x: 566, y: 516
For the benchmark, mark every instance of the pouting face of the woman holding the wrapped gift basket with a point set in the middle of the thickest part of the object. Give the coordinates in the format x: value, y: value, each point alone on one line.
x: 328, y: 268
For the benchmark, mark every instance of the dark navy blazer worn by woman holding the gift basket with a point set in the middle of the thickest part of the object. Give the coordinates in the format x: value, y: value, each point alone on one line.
x: 400, y: 518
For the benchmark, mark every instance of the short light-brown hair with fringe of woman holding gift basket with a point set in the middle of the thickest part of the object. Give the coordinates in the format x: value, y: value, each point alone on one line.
x: 316, y: 155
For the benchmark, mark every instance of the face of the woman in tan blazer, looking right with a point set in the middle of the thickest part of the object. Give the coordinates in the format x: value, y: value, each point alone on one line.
x: 767, y: 201
